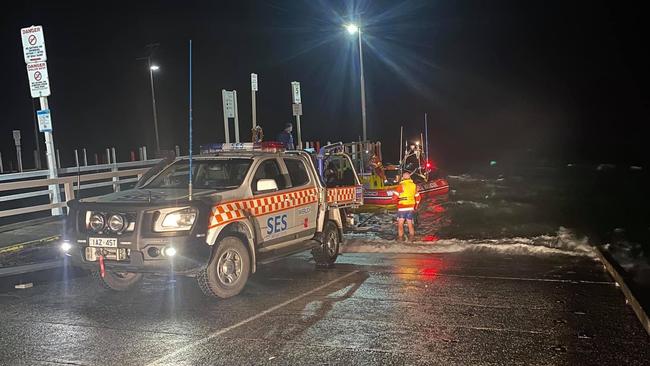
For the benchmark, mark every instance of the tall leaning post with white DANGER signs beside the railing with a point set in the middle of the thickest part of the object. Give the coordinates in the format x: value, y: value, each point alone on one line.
x: 35, y: 56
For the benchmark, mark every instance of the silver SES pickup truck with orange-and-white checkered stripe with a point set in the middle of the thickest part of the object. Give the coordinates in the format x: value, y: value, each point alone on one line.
x: 250, y: 204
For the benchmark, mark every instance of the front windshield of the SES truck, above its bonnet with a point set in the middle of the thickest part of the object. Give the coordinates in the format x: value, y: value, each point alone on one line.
x: 206, y: 174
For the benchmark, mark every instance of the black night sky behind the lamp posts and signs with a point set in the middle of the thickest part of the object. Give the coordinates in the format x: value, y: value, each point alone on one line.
x: 562, y: 80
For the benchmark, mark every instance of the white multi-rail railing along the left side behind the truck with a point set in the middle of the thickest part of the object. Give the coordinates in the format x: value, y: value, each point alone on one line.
x: 69, y: 178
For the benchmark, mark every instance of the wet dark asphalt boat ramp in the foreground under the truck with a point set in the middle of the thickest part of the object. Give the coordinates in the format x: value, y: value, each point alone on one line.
x: 467, y: 308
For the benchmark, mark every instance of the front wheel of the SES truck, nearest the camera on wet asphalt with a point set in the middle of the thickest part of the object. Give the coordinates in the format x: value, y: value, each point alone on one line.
x: 228, y: 270
